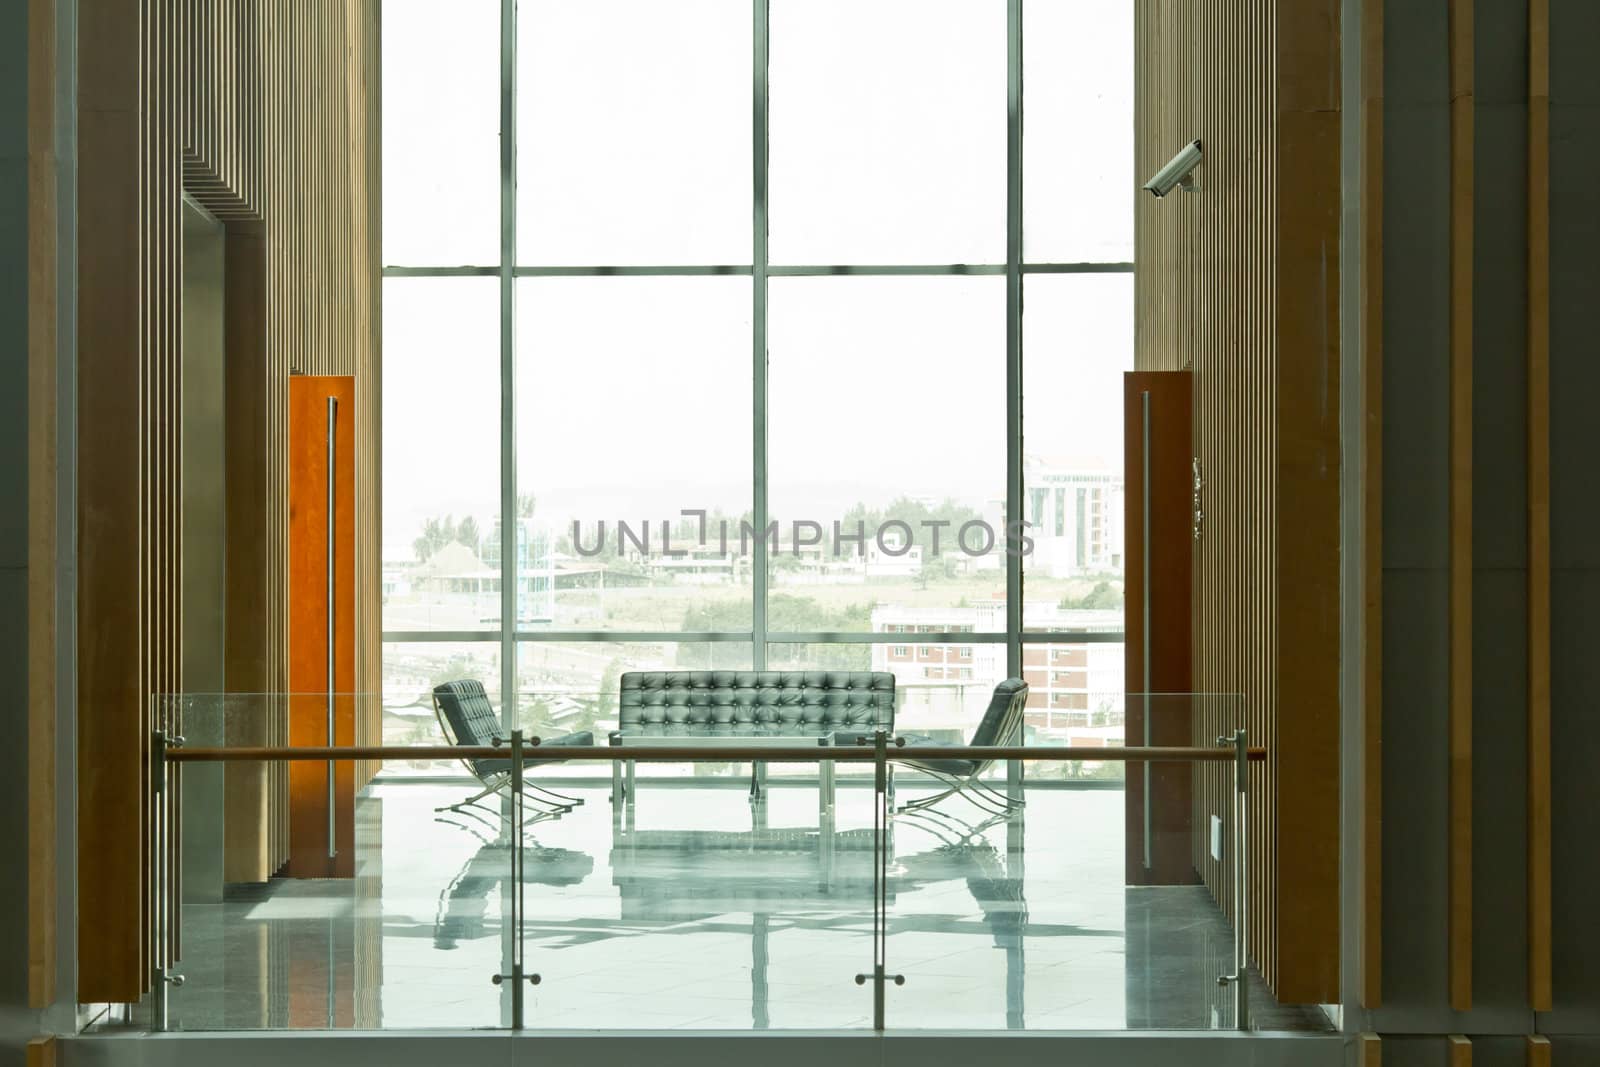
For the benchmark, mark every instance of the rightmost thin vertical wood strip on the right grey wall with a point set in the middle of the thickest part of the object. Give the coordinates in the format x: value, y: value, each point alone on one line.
x: 1540, y: 917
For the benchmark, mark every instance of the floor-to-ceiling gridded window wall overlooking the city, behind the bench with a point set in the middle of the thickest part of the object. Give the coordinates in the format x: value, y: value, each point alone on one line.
x: 758, y: 334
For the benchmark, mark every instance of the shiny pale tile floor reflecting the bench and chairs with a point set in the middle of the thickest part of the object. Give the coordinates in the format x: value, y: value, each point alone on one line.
x: 702, y: 911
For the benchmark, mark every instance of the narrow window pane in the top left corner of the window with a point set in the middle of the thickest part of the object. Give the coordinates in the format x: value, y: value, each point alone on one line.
x: 441, y: 132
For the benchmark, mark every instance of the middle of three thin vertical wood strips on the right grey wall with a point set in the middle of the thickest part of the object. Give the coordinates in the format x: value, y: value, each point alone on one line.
x: 1460, y: 741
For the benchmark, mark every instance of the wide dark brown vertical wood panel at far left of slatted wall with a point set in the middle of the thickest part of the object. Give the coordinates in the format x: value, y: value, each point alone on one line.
x: 111, y: 393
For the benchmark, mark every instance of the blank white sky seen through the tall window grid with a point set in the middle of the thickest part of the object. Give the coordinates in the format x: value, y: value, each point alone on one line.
x: 887, y: 127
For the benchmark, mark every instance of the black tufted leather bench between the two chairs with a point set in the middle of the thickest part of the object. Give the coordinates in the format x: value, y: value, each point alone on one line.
x: 734, y: 706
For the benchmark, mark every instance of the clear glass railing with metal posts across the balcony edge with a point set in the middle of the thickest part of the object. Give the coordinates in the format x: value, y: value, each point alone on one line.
x: 1084, y: 879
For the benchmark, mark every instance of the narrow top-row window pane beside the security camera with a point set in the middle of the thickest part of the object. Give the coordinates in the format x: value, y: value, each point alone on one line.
x: 1078, y: 146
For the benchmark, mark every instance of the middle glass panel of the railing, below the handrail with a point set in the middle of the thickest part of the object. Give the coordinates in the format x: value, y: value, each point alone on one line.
x: 690, y: 908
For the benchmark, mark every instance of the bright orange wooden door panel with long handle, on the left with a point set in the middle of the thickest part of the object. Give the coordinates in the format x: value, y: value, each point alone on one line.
x: 308, y: 621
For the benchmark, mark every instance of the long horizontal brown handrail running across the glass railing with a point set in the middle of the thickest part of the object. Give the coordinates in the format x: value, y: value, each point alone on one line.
x: 732, y: 754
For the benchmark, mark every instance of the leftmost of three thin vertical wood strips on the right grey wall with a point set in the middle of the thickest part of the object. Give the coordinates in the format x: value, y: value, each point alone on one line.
x: 1372, y: 326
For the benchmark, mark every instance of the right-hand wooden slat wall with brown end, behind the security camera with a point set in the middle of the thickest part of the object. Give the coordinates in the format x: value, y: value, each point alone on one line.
x: 1242, y: 289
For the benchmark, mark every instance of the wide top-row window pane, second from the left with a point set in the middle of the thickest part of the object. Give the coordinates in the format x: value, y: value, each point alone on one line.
x: 634, y: 132
